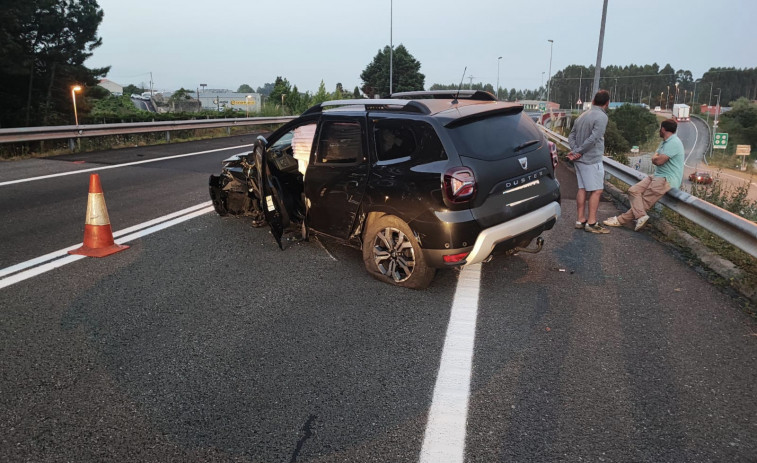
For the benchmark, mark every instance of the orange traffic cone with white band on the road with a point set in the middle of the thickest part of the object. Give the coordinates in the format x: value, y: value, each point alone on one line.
x: 98, y: 236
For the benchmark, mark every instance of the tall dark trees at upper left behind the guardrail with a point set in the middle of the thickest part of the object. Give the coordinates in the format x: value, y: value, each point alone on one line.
x: 44, y: 46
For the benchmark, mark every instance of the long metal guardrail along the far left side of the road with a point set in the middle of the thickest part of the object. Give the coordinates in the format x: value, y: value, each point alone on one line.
x: 25, y: 134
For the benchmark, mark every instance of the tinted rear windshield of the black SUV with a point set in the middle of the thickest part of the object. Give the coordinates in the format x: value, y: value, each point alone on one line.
x: 496, y: 137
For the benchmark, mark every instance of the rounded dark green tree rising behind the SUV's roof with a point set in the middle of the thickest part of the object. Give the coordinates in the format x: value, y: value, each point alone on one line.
x: 406, y: 74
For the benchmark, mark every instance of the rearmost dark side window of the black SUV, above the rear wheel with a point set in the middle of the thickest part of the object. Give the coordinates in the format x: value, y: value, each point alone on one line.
x: 397, y: 139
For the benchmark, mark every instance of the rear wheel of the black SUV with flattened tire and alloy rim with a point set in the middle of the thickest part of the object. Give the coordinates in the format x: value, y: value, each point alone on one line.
x: 391, y: 254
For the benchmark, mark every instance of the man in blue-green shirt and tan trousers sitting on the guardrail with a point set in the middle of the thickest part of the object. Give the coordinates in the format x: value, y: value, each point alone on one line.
x: 668, y: 161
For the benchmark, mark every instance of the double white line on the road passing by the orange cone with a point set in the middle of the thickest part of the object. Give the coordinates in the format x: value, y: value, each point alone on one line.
x: 65, y: 259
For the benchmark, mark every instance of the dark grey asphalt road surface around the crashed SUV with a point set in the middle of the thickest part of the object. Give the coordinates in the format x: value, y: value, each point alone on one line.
x: 205, y: 342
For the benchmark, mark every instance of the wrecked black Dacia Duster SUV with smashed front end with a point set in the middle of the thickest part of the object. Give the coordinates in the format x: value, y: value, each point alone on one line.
x: 420, y: 181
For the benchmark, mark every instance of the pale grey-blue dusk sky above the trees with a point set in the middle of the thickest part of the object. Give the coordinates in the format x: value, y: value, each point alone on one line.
x: 226, y: 43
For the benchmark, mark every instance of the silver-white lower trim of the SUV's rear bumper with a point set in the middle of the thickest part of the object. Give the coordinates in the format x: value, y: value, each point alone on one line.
x: 489, y: 238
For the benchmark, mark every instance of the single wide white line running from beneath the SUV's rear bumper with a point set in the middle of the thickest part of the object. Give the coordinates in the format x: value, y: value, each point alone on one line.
x: 444, y: 440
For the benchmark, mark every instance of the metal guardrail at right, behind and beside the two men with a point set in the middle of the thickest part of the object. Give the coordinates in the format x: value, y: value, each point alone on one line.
x: 736, y: 230
